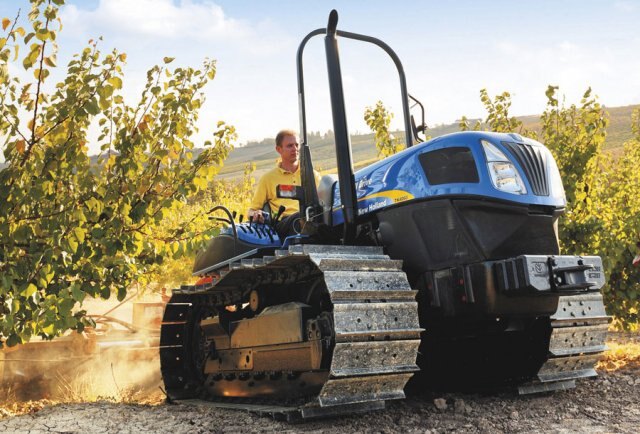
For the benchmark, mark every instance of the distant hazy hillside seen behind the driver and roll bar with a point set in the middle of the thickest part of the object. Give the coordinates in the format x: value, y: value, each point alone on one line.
x: 264, y: 156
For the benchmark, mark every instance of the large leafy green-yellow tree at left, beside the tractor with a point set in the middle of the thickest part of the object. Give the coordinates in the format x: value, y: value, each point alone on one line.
x: 69, y: 229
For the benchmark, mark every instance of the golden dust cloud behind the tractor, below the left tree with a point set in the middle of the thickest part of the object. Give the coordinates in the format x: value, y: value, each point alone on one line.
x: 116, y: 361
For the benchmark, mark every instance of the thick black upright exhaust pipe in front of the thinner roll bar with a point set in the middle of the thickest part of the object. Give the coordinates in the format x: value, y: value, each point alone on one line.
x: 341, y: 132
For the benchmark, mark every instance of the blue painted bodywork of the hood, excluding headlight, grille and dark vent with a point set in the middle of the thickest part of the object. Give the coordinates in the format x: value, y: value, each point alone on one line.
x: 401, y: 178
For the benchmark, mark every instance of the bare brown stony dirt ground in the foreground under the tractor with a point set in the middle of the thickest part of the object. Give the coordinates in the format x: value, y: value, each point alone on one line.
x: 608, y: 403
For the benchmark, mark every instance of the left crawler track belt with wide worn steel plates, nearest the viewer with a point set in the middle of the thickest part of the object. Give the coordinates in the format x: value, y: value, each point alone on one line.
x: 375, y: 332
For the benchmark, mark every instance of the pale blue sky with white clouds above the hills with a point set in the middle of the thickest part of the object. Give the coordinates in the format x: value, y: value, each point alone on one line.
x: 450, y: 50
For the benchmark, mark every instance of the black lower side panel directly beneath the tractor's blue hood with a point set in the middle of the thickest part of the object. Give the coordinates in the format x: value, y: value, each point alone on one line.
x: 437, y: 234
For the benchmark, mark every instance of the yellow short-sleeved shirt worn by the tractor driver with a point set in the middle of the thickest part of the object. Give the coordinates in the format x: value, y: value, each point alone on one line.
x: 266, y: 191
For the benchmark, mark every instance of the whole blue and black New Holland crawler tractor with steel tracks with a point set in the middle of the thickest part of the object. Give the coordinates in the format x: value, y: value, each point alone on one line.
x: 438, y: 266
